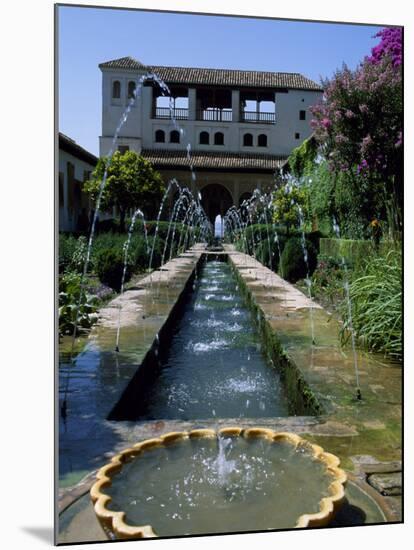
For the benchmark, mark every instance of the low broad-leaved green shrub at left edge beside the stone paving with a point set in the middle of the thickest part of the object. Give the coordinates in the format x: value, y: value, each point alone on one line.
x: 69, y: 294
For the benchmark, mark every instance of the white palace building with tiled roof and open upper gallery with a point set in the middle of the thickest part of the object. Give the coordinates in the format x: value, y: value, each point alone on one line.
x: 240, y: 125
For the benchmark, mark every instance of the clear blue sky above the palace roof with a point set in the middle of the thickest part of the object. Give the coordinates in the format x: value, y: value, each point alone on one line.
x: 88, y: 36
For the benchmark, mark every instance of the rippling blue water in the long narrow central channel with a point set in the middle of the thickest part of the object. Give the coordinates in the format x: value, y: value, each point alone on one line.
x: 214, y: 366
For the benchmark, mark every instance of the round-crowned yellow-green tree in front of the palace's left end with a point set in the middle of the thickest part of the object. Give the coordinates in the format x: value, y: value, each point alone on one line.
x: 131, y: 183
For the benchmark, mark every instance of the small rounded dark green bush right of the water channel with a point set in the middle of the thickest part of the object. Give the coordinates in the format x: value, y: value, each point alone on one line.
x: 292, y: 265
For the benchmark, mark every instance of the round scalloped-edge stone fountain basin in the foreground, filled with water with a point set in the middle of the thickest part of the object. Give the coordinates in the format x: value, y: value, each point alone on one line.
x: 202, y: 481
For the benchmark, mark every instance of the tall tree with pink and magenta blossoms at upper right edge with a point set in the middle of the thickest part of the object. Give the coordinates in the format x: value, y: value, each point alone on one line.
x: 359, y: 124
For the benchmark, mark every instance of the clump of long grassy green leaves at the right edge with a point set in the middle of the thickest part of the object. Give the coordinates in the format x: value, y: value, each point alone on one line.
x: 376, y: 304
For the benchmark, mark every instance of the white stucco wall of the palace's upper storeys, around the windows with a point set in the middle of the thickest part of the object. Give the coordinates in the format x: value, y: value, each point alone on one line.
x: 139, y: 130
